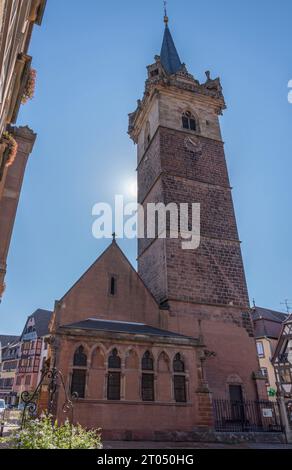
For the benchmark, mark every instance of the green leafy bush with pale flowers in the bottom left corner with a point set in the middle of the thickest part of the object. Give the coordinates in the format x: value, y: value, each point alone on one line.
x: 40, y: 433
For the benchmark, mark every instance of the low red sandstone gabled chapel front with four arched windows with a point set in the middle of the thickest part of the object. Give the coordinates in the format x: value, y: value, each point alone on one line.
x: 132, y: 306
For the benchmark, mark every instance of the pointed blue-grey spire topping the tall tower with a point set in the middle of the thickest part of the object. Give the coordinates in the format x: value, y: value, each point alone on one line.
x: 169, y: 56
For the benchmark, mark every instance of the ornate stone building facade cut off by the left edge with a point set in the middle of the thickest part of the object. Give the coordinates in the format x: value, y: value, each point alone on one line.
x: 17, y: 20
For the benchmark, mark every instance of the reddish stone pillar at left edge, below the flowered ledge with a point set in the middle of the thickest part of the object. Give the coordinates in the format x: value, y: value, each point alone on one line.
x: 25, y: 138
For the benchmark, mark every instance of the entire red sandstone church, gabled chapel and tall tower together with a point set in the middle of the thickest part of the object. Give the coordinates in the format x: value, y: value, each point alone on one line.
x: 184, y: 308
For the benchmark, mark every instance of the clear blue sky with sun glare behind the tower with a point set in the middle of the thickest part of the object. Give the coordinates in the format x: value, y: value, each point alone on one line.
x: 91, y: 62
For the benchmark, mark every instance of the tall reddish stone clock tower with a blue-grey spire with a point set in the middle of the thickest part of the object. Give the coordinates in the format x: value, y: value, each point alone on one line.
x: 181, y: 160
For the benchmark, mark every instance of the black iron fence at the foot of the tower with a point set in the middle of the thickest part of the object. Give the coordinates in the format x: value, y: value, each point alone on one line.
x: 247, y: 416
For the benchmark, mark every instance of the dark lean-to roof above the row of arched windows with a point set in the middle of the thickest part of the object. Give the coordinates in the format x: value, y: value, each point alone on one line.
x: 122, y: 327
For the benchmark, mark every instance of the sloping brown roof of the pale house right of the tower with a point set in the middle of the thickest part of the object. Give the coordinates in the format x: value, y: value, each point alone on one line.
x: 267, y: 322
